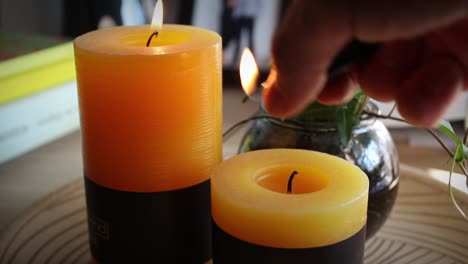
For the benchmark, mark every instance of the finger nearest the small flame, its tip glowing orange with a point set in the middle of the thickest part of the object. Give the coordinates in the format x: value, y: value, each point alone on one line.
x: 303, y: 48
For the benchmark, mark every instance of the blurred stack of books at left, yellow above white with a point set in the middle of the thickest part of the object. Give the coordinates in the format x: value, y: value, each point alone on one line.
x: 38, y: 97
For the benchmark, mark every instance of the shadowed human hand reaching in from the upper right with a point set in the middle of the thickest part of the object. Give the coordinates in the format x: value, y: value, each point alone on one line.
x: 422, y: 63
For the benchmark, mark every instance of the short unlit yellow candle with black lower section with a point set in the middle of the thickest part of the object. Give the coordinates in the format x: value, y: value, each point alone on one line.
x: 250, y: 203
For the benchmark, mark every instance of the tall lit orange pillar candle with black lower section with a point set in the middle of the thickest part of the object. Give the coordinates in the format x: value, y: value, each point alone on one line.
x: 151, y: 125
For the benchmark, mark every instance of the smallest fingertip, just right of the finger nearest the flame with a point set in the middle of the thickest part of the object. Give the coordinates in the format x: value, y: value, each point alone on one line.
x: 338, y: 90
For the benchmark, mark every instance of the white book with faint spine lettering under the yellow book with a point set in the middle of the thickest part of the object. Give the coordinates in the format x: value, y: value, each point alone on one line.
x: 37, y: 119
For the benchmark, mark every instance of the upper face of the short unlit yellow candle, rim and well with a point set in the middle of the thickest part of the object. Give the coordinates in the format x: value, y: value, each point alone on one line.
x: 324, y: 174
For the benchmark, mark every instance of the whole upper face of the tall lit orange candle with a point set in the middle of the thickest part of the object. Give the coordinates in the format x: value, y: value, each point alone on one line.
x: 131, y: 40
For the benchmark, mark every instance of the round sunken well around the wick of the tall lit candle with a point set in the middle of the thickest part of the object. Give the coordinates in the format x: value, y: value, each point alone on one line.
x: 164, y: 38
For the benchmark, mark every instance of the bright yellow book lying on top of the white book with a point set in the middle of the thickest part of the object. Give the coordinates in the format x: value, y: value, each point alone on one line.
x: 36, y: 71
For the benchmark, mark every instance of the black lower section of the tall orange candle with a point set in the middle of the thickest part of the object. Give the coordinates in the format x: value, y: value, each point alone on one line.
x: 159, y: 227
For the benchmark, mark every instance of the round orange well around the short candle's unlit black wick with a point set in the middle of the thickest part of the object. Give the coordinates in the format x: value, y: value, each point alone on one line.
x: 305, y: 180
